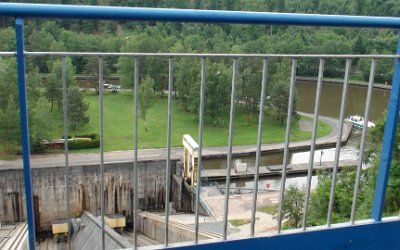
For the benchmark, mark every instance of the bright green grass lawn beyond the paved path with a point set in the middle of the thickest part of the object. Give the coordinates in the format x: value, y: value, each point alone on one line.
x: 118, y: 126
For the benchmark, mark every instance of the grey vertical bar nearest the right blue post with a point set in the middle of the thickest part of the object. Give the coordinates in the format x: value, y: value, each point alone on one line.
x: 363, y: 136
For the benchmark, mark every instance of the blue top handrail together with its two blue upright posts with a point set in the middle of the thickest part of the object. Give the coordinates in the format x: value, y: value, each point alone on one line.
x: 20, y: 11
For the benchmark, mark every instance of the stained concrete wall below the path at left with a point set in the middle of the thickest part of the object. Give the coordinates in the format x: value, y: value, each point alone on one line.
x: 50, y: 194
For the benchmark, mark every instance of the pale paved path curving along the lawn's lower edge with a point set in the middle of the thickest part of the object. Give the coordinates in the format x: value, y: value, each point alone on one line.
x: 43, y: 161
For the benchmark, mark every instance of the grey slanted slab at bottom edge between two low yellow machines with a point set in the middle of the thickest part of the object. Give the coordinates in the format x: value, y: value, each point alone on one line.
x: 89, y: 237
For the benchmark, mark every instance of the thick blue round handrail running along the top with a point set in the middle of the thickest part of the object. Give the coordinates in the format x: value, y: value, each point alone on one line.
x: 181, y: 15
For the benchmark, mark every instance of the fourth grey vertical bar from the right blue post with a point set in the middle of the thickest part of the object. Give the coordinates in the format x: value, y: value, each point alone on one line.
x: 287, y: 140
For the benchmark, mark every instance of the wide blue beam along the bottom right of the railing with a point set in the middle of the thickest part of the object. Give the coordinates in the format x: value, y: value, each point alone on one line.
x: 372, y: 236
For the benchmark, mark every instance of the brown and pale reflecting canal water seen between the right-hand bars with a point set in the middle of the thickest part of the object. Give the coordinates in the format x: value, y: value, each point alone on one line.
x: 330, y: 106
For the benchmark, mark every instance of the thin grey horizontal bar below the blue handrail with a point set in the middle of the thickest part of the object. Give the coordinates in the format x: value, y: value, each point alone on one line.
x: 168, y: 55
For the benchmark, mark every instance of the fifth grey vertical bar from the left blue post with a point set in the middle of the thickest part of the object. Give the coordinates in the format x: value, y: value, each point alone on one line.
x: 199, y: 161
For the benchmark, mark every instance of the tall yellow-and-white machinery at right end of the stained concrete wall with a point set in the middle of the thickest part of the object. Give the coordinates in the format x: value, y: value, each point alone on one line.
x: 190, y: 158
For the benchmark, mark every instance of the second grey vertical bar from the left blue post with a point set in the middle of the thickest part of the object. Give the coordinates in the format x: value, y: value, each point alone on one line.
x: 103, y: 240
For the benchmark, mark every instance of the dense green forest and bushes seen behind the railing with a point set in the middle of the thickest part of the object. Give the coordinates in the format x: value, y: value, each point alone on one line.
x: 43, y: 73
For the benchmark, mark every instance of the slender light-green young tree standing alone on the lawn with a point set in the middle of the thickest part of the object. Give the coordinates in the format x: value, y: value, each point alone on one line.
x: 145, y: 98
